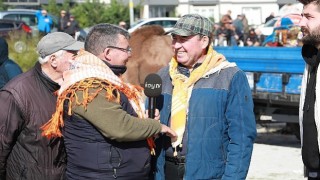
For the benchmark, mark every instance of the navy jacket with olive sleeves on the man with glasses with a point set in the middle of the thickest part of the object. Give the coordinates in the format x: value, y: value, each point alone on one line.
x: 106, y: 140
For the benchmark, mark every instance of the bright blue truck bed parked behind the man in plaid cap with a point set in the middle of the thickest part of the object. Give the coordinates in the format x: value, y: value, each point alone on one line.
x: 274, y: 75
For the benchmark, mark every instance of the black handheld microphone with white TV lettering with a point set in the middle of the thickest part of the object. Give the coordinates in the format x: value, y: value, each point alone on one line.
x: 152, y: 89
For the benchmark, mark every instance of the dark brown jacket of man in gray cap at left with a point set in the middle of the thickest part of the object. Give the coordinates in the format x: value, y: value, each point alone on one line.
x: 28, y: 102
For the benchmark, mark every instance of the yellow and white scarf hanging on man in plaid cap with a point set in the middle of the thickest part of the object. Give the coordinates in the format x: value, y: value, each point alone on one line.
x: 182, y: 88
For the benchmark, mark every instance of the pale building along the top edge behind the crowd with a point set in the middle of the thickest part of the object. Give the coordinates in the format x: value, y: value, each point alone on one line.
x: 255, y: 10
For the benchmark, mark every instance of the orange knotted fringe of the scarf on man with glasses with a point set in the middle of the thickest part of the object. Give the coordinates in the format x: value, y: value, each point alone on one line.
x: 53, y: 127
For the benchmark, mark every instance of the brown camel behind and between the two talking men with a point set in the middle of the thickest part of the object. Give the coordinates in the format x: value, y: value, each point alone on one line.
x: 151, y: 50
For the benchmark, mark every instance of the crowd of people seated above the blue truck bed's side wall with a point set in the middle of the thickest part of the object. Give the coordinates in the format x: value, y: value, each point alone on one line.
x: 237, y: 32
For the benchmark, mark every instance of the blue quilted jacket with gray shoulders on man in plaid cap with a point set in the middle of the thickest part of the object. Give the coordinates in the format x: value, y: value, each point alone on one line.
x: 221, y: 126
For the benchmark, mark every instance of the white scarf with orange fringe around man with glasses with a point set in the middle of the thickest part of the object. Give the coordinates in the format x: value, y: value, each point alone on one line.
x: 88, y: 72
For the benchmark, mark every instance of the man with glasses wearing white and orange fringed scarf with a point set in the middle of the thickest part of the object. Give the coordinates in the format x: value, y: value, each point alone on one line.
x: 105, y: 128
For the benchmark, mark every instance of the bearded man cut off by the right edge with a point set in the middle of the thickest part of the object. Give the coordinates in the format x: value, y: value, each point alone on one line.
x: 309, y: 97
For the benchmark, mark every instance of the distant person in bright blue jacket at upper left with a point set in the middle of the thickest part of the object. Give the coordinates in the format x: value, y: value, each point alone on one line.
x: 44, y: 22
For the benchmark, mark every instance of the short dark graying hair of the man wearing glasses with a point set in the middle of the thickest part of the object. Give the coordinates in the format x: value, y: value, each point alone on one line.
x: 103, y: 35
